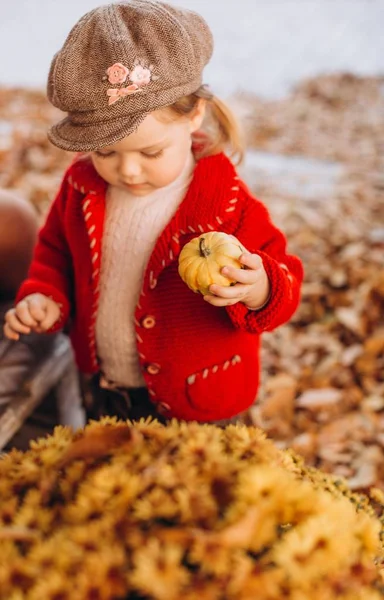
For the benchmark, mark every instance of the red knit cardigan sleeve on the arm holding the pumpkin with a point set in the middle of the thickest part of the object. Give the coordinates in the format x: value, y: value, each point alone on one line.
x: 285, y: 272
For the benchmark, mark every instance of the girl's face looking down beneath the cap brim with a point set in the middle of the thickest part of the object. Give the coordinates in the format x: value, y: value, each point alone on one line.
x: 151, y: 157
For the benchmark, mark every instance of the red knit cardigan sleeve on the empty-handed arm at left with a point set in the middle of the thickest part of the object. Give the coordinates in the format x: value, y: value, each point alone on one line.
x: 50, y: 272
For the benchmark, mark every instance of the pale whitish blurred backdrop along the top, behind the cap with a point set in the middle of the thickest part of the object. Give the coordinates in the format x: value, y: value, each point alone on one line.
x: 260, y: 46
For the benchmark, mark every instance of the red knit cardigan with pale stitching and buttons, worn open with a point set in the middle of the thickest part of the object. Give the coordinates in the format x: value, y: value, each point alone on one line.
x: 199, y: 361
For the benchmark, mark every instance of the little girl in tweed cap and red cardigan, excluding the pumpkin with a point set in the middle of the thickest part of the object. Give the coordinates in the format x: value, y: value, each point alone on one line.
x: 152, y: 175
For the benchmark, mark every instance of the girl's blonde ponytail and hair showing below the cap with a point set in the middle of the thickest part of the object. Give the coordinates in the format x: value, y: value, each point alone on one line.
x: 220, y: 125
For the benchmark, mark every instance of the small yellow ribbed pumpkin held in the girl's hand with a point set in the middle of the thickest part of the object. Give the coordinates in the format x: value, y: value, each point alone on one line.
x: 201, y: 260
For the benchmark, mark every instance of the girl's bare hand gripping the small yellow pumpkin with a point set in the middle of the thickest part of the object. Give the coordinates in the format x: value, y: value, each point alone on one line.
x: 252, y: 287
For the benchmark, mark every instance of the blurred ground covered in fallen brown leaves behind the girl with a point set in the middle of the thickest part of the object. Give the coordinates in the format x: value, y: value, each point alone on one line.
x: 323, y: 374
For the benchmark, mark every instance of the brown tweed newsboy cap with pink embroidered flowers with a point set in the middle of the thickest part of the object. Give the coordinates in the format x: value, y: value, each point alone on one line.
x: 120, y: 62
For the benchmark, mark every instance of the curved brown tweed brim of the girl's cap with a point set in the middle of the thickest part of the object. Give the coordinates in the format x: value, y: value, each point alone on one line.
x: 93, y: 136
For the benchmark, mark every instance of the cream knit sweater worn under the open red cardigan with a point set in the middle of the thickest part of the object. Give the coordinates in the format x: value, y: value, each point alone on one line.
x: 131, y: 229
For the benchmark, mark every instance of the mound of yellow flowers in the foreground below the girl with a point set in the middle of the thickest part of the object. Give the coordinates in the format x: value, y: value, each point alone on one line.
x: 146, y: 511
